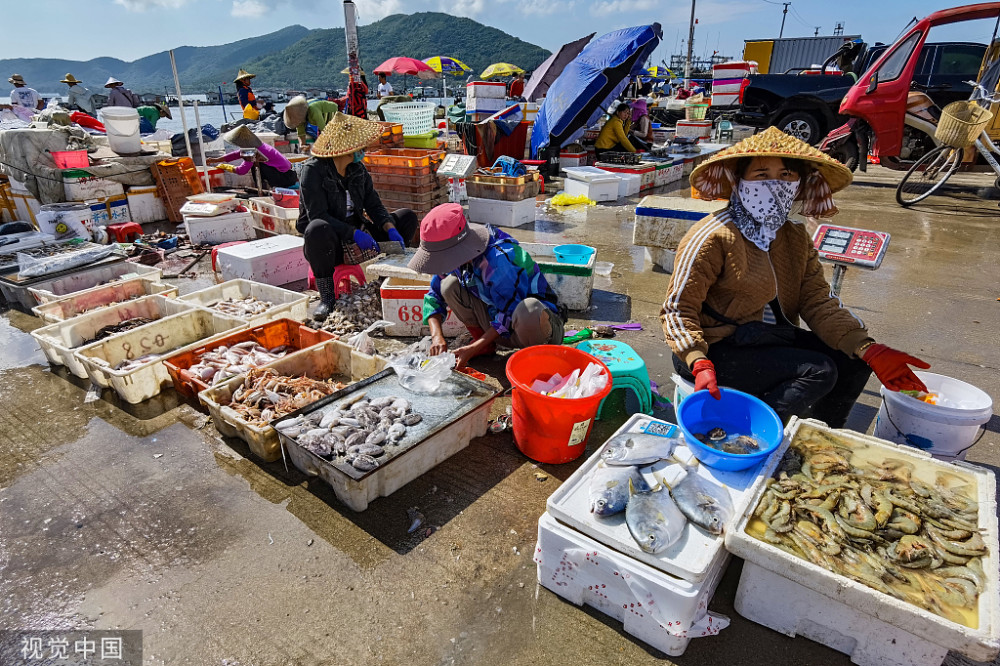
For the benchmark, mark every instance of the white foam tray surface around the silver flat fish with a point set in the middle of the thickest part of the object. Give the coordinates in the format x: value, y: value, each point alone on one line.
x: 696, y: 553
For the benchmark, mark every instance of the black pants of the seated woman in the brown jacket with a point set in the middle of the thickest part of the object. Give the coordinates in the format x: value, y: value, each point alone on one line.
x: 807, y: 379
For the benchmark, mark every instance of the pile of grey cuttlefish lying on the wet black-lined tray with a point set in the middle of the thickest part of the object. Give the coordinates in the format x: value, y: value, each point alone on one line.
x: 361, y: 431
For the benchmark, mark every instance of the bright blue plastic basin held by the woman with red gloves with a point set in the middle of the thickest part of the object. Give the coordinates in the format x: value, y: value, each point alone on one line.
x: 736, y: 412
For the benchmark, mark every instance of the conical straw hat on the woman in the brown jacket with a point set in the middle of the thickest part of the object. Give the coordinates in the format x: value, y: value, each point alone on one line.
x: 714, y: 178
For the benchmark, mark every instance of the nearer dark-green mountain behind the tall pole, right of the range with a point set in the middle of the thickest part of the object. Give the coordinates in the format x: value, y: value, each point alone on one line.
x: 318, y: 59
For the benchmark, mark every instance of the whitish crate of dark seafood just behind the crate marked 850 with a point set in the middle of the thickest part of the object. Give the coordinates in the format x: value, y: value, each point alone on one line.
x: 58, y: 341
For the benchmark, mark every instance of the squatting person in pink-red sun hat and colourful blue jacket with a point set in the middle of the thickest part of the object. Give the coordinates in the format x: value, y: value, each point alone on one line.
x: 487, y: 279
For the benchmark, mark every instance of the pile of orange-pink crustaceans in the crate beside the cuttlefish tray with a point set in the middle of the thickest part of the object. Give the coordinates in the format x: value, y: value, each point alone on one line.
x: 265, y: 395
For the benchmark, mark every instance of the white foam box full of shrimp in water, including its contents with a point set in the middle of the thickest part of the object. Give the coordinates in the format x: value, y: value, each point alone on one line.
x: 874, y: 549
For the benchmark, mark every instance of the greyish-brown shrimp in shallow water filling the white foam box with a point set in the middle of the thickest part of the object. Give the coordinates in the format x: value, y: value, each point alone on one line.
x: 882, y: 522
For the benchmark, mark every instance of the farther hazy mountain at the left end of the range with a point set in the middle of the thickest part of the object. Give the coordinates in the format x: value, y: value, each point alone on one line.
x: 198, y: 67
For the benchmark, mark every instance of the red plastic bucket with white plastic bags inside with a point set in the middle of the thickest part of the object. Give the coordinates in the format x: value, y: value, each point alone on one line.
x: 546, y: 429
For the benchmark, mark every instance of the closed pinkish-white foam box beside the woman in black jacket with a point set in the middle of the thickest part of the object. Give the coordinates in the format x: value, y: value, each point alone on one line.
x: 277, y: 260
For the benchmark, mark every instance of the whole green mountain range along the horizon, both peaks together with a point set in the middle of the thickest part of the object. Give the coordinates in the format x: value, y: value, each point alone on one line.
x: 293, y: 57
